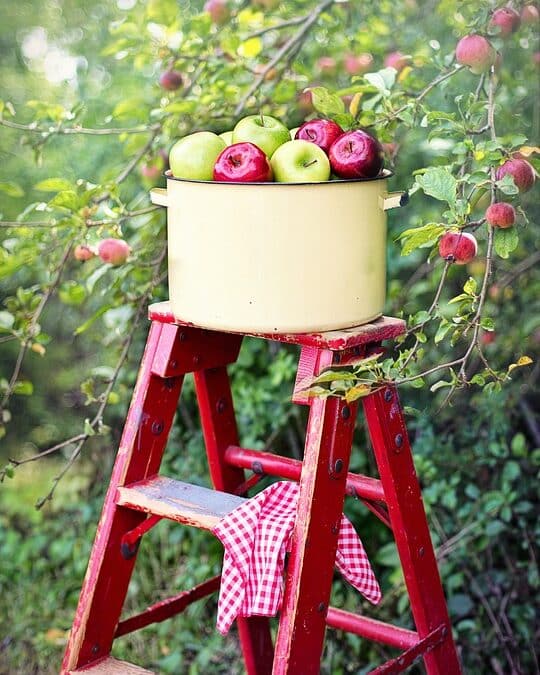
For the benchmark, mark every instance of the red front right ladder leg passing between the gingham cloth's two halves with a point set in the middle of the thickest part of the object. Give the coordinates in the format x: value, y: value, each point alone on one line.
x: 302, y: 625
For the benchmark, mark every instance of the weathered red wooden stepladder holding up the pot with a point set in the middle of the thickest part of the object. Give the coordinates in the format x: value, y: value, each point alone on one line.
x: 139, y: 497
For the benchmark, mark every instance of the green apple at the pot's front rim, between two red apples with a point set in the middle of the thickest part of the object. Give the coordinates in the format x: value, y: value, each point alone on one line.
x: 300, y: 162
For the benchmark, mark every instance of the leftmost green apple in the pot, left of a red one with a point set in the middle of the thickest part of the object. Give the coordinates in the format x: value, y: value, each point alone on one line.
x: 193, y: 157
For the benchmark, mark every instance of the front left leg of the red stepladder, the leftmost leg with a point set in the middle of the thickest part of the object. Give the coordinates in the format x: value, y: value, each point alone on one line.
x: 107, y: 578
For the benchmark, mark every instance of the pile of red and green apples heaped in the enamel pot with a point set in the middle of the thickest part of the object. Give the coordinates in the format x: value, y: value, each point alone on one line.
x: 261, y: 149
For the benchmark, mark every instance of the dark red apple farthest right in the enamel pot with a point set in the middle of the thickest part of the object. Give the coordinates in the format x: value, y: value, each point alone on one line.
x: 356, y: 154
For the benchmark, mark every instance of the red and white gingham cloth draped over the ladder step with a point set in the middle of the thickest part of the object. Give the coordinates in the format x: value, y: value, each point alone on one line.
x: 256, y: 536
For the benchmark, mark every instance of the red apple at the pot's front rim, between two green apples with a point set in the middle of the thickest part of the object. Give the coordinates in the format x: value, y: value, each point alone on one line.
x: 243, y: 163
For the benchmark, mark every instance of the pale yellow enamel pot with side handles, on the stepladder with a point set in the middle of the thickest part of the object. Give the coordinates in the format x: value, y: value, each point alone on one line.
x: 277, y: 257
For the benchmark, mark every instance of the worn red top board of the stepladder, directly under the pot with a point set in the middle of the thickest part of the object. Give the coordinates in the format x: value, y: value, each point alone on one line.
x: 384, y: 328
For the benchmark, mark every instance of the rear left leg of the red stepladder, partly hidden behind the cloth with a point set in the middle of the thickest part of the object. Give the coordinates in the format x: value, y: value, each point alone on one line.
x: 219, y: 428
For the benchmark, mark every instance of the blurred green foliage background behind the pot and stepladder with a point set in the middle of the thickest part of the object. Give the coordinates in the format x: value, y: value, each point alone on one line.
x: 477, y: 456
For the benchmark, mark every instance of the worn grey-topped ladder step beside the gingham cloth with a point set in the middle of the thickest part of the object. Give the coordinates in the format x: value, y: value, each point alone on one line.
x: 183, y: 502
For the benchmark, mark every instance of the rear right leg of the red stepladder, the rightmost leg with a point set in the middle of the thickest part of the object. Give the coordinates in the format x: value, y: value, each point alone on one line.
x: 384, y: 418
